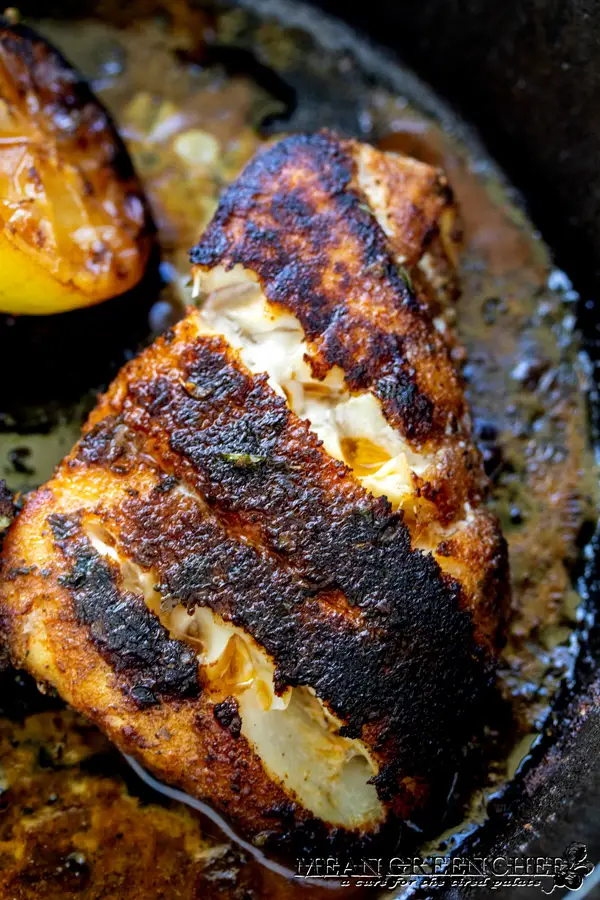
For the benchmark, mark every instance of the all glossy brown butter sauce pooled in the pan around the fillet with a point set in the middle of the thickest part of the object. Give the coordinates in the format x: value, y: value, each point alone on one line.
x: 74, y: 822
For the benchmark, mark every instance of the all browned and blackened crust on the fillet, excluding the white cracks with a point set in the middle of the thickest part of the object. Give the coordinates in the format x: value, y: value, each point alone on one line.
x: 203, y: 477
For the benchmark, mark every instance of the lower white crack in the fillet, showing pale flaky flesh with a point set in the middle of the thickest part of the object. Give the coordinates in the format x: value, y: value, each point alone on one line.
x: 293, y: 733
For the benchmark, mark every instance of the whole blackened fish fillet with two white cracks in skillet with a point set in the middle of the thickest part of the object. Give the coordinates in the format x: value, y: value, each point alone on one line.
x: 266, y: 570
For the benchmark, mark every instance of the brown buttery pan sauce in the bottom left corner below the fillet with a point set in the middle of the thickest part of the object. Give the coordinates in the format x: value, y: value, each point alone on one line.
x: 75, y: 823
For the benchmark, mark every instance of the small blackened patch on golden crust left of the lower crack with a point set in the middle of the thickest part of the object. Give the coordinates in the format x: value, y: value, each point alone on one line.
x: 124, y: 631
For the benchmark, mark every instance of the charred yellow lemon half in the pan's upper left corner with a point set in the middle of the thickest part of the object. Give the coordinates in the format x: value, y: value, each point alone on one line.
x: 74, y: 225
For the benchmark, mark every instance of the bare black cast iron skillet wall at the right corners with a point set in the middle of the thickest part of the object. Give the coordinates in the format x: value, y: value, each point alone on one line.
x: 526, y: 73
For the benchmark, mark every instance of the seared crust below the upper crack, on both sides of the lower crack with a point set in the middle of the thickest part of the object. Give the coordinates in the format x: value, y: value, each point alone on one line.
x: 388, y: 620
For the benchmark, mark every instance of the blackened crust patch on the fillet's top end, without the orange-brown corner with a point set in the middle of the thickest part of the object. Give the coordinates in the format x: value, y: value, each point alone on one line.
x: 288, y: 235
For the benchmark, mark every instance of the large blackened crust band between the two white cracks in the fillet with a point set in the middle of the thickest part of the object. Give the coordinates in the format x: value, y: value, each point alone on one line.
x: 324, y: 577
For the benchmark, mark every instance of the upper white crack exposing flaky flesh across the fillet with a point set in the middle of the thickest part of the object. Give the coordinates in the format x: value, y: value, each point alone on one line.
x: 352, y: 427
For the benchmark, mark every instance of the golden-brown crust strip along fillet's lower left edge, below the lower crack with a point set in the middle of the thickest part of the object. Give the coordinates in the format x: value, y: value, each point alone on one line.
x: 112, y: 660
